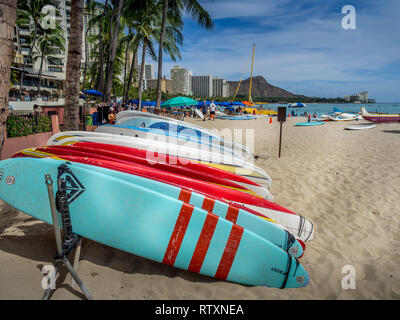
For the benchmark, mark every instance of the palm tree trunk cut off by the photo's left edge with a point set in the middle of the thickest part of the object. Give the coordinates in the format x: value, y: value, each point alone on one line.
x: 8, y: 12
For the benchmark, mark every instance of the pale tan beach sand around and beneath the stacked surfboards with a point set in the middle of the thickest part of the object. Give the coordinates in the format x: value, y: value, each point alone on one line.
x: 346, y: 182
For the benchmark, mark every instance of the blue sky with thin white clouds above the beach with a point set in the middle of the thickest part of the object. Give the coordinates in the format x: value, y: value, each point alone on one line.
x: 300, y: 45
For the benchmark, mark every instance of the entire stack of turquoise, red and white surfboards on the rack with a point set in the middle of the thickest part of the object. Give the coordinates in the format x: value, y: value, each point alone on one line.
x: 168, y: 191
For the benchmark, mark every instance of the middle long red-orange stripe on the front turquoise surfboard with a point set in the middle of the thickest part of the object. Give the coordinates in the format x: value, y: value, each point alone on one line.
x: 203, y: 243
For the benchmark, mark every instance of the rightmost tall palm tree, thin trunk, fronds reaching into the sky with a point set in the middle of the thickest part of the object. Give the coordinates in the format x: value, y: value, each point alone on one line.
x: 173, y: 8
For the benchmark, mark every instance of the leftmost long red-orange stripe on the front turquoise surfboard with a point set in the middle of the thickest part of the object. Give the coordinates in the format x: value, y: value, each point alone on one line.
x: 177, y: 235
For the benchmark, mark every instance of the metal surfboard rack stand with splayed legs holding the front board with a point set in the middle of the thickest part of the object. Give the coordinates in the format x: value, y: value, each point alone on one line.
x: 70, y: 241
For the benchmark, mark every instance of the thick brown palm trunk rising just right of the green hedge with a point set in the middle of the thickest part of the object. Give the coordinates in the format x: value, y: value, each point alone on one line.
x: 73, y: 73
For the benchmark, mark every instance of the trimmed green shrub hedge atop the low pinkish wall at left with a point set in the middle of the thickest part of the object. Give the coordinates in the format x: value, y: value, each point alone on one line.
x: 20, y: 126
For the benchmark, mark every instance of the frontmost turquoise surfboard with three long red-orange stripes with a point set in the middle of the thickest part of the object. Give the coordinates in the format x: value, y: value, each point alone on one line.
x: 140, y: 221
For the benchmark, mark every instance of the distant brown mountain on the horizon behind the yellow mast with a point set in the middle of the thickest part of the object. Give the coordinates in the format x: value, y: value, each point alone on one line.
x: 260, y: 88
